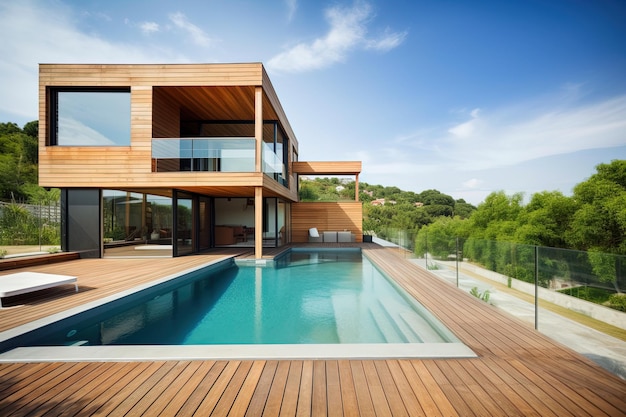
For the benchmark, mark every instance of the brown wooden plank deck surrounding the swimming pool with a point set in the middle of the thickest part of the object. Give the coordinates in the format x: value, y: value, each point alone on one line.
x: 519, y: 372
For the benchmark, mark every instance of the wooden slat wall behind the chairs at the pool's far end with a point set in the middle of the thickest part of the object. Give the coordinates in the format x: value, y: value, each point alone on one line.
x: 332, y: 216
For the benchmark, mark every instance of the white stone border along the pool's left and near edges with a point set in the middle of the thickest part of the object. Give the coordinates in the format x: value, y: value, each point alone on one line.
x: 211, y: 352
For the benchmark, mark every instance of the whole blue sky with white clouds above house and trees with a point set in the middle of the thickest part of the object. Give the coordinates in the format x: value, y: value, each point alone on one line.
x: 466, y: 97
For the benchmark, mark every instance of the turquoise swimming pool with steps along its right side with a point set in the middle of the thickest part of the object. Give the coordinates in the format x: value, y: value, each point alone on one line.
x: 309, y: 301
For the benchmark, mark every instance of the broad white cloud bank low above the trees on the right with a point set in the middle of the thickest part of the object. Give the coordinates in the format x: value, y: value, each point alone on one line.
x: 502, y: 148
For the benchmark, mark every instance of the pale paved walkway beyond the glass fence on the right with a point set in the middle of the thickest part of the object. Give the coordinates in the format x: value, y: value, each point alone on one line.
x: 605, y: 350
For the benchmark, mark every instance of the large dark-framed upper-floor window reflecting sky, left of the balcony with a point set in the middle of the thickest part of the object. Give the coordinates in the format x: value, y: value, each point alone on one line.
x: 90, y: 117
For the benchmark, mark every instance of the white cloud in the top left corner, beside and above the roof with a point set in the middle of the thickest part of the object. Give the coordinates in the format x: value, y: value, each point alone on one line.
x: 41, y: 32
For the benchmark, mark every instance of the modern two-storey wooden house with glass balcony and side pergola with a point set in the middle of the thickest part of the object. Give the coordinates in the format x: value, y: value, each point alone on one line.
x: 167, y: 160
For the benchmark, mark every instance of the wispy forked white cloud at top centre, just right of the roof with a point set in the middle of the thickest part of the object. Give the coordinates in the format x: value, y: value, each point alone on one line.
x: 348, y: 31
